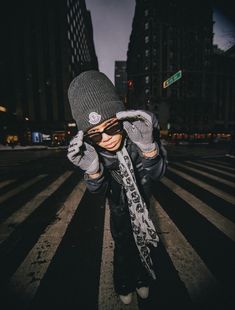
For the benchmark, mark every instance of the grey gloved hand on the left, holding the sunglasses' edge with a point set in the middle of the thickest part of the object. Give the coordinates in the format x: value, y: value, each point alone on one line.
x: 83, y: 155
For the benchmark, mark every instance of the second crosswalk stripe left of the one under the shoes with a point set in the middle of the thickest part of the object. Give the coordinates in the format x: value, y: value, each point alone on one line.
x: 8, y: 226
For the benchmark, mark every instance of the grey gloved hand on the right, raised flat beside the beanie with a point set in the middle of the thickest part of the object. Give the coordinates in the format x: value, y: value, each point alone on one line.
x: 139, y: 127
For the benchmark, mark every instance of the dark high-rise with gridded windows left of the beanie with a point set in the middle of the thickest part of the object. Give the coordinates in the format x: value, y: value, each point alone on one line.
x: 46, y: 44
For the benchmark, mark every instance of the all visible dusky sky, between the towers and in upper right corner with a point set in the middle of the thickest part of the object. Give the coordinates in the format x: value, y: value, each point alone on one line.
x: 112, y: 23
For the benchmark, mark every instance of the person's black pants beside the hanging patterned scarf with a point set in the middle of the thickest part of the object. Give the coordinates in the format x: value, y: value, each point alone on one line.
x: 128, y: 270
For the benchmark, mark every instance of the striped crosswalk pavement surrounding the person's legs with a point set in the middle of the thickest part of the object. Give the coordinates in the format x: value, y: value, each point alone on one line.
x: 56, y: 246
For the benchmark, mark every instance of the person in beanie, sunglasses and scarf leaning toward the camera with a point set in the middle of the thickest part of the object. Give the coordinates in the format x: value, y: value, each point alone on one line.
x: 120, y: 154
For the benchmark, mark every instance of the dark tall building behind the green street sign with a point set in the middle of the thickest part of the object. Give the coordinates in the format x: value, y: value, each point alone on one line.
x: 168, y: 37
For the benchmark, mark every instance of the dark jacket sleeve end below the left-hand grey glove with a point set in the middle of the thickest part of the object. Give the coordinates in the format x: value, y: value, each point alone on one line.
x: 97, y: 185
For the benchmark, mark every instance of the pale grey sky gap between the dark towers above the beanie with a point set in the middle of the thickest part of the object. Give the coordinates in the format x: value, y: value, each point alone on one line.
x: 112, y: 22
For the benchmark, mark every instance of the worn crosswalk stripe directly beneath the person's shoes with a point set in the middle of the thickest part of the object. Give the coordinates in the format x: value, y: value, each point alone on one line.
x: 108, y: 299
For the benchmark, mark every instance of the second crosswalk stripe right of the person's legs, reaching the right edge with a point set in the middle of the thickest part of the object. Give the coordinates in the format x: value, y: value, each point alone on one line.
x: 218, y: 220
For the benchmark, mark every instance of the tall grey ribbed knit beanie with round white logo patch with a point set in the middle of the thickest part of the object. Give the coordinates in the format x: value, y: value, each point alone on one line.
x: 93, y: 99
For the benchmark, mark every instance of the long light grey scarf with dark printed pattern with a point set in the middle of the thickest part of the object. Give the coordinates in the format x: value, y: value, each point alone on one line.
x: 143, y: 229
